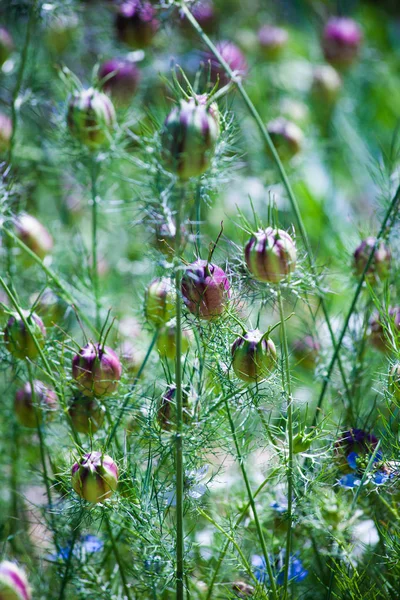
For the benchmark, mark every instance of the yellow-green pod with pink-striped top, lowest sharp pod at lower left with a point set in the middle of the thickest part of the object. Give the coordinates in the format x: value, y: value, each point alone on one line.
x: 95, y: 477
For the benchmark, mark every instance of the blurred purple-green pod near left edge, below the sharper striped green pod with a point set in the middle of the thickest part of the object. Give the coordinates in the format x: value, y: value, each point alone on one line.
x: 29, y: 408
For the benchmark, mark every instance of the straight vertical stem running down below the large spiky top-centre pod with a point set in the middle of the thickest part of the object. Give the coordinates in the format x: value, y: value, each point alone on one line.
x: 179, y: 408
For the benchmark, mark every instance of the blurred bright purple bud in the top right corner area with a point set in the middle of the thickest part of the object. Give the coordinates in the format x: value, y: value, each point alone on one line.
x: 341, y: 41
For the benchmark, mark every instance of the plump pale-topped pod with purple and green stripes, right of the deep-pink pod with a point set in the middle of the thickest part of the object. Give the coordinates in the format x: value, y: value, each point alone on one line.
x: 270, y: 255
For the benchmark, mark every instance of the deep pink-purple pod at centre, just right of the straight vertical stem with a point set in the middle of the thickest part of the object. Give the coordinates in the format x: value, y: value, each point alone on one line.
x: 205, y: 289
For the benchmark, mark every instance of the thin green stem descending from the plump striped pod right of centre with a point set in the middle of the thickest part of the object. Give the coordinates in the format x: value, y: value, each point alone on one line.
x: 289, y: 434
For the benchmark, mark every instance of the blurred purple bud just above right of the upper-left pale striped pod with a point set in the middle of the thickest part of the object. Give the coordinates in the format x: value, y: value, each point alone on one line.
x: 120, y: 78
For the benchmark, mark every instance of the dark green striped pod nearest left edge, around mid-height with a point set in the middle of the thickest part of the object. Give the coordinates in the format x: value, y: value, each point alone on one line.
x: 18, y: 339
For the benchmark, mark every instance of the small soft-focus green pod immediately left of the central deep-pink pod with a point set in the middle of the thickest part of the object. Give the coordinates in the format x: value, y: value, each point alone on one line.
x: 160, y: 301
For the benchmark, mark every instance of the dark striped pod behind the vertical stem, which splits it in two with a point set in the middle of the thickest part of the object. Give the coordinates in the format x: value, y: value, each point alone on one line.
x: 166, y: 410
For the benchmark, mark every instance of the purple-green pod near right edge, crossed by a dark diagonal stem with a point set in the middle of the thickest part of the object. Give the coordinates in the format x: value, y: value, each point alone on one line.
x: 380, y: 265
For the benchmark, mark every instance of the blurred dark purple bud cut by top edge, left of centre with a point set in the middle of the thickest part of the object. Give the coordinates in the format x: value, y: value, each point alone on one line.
x: 136, y: 23
